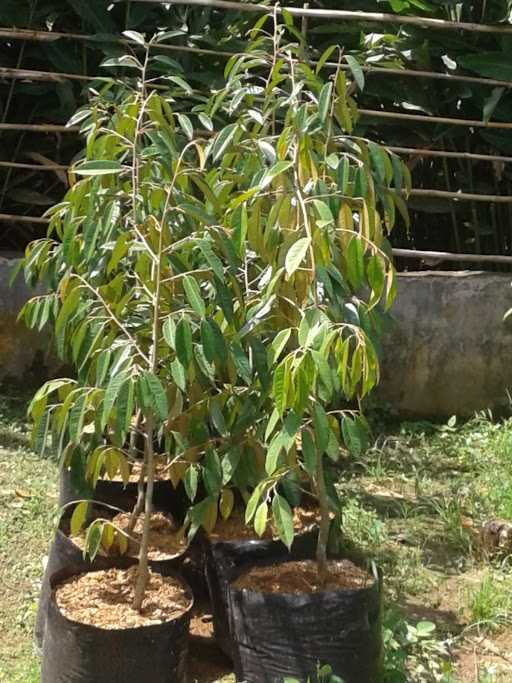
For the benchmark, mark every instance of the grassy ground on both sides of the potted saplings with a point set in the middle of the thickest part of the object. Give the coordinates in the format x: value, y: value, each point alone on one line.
x: 415, y: 501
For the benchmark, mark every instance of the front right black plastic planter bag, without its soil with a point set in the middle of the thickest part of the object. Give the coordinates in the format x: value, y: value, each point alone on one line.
x: 277, y: 636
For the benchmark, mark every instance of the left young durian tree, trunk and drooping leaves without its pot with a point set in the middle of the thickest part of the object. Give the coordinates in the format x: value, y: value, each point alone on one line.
x: 146, y: 304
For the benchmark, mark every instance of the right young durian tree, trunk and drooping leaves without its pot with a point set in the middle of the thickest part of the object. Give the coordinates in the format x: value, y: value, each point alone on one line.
x: 309, y: 207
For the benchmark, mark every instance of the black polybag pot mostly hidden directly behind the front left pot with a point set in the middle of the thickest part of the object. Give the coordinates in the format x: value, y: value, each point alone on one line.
x: 65, y: 552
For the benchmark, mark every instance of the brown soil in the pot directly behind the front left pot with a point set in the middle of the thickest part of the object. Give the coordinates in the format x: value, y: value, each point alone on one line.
x: 165, y: 541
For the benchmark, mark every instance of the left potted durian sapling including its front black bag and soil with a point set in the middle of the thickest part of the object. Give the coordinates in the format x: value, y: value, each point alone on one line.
x: 135, y: 283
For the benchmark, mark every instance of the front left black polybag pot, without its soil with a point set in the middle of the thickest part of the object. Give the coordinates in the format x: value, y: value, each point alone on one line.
x: 79, y: 653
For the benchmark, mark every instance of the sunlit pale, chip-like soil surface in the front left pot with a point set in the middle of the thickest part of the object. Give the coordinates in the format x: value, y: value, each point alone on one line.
x: 104, y: 599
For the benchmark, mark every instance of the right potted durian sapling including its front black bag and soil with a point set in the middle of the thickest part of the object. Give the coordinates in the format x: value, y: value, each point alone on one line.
x: 310, y: 205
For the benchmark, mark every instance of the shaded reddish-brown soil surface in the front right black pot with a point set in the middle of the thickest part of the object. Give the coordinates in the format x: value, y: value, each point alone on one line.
x: 302, y: 577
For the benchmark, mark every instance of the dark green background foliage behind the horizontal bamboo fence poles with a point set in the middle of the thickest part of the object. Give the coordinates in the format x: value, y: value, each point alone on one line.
x: 437, y: 224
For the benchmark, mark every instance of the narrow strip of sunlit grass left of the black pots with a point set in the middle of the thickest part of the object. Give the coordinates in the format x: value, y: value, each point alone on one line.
x: 27, y: 511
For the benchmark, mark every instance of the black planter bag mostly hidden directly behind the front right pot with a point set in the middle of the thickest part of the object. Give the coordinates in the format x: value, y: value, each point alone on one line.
x: 225, y: 559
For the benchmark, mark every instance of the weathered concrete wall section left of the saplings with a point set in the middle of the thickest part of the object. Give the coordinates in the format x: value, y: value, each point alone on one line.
x: 25, y: 355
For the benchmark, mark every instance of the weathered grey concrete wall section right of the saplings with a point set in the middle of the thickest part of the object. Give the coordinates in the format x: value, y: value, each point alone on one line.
x: 449, y: 350
